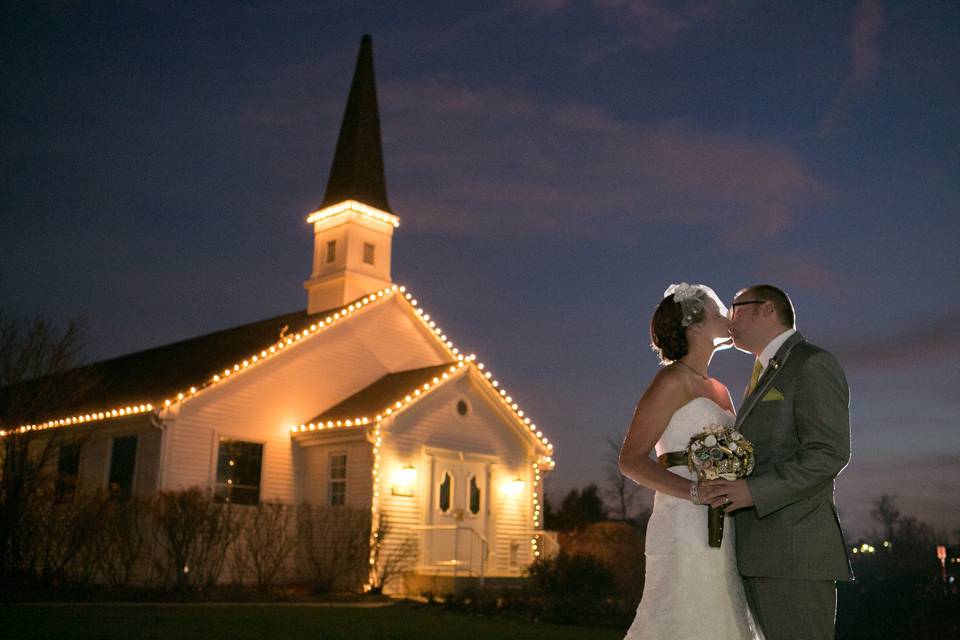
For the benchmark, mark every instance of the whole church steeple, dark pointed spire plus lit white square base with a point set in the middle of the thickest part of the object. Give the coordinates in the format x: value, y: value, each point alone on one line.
x: 353, y: 229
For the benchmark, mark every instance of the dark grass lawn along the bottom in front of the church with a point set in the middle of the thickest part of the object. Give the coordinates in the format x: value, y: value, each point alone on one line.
x: 187, y: 622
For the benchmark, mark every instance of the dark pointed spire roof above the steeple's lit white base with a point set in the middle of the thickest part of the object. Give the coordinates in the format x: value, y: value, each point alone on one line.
x: 357, y: 170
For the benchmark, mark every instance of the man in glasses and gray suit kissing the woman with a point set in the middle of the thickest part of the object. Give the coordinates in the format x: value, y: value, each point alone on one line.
x: 790, y: 548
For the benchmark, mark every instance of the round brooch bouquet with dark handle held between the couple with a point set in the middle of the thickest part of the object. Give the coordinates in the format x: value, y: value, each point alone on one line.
x: 719, y: 452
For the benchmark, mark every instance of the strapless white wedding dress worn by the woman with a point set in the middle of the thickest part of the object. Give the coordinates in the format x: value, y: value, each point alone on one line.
x: 691, y: 591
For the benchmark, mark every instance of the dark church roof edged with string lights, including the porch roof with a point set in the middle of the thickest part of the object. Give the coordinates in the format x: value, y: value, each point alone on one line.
x: 181, y: 370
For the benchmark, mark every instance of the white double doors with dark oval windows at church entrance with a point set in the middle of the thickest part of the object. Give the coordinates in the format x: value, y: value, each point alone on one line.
x: 458, y: 514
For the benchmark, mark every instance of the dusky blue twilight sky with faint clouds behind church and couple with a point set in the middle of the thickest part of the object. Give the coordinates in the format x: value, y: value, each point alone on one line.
x: 555, y: 165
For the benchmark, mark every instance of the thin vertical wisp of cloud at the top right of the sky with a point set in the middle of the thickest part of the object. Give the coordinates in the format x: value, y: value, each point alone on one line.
x: 867, y: 24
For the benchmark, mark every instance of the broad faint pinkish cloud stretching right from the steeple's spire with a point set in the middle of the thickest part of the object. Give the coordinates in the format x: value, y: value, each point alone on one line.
x: 529, y: 165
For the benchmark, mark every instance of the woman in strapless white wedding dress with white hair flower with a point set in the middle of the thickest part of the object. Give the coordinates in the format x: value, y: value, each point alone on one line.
x: 691, y: 590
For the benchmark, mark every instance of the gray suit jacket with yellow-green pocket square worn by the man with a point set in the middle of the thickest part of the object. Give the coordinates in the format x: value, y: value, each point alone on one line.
x: 798, y: 419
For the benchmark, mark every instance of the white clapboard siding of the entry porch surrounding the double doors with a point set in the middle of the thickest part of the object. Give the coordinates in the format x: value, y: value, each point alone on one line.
x: 434, y: 424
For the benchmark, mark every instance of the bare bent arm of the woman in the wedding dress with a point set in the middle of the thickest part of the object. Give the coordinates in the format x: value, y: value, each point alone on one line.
x: 665, y: 395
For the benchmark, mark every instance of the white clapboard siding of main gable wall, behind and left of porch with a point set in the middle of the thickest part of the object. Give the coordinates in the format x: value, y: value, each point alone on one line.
x: 262, y: 403
